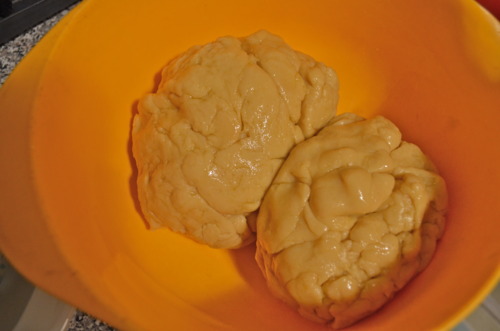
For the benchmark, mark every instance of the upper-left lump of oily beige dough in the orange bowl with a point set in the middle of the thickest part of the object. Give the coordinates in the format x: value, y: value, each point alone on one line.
x: 210, y: 140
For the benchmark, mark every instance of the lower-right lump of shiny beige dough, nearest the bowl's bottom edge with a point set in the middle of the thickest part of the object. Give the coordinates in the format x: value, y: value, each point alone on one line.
x: 362, y: 215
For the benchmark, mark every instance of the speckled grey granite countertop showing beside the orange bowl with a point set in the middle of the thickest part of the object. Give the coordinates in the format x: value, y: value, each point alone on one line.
x: 10, y: 54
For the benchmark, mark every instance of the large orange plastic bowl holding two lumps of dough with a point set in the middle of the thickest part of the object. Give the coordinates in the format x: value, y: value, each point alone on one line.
x: 68, y: 207
